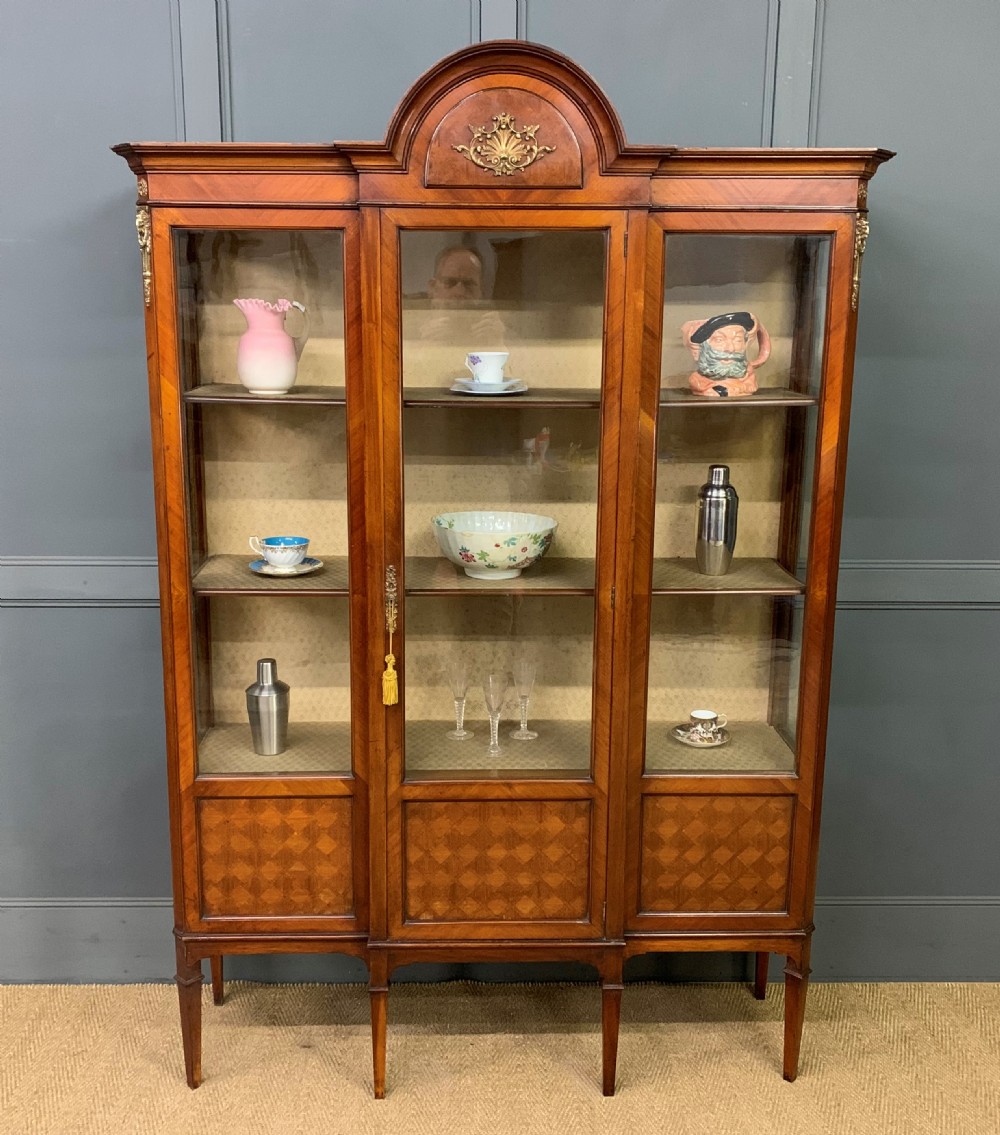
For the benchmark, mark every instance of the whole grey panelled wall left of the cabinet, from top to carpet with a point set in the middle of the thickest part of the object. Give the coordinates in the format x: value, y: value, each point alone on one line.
x: 82, y: 774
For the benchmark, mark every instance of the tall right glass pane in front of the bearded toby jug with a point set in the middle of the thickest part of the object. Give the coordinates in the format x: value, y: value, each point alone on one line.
x: 742, y: 365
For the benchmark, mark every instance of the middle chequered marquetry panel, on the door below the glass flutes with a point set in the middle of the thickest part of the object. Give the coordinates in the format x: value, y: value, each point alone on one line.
x: 490, y: 861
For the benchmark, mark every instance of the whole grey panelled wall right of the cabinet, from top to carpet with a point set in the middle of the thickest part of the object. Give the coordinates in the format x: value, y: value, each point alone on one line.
x: 915, y: 711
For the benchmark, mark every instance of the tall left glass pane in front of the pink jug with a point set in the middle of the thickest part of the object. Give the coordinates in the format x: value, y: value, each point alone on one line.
x: 266, y: 457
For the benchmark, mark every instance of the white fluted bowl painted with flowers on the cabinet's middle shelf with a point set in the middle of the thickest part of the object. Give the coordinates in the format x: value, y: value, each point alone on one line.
x: 493, y: 545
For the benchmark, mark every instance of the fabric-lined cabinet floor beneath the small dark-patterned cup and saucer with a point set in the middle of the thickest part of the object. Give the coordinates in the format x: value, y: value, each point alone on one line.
x: 755, y: 747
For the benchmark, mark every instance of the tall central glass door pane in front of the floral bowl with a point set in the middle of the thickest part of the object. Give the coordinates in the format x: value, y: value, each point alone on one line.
x: 501, y: 495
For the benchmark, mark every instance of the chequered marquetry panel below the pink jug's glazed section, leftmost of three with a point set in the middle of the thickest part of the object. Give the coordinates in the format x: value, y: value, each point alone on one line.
x: 272, y: 857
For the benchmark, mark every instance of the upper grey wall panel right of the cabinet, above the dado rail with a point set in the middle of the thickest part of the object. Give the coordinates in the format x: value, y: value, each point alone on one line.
x: 927, y: 369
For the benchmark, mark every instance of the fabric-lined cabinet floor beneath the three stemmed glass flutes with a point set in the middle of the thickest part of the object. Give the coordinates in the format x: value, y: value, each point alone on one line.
x: 562, y: 749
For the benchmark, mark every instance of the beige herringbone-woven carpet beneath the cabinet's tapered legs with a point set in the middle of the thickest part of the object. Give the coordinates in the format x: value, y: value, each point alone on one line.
x: 467, y: 1058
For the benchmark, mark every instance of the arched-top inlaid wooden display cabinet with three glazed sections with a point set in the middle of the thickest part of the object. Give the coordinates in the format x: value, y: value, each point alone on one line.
x: 486, y: 368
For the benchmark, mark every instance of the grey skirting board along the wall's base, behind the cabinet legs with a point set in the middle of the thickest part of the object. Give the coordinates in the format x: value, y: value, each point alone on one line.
x: 912, y: 939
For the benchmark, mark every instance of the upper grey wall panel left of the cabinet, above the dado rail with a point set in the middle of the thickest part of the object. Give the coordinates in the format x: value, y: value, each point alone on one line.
x: 75, y: 459
